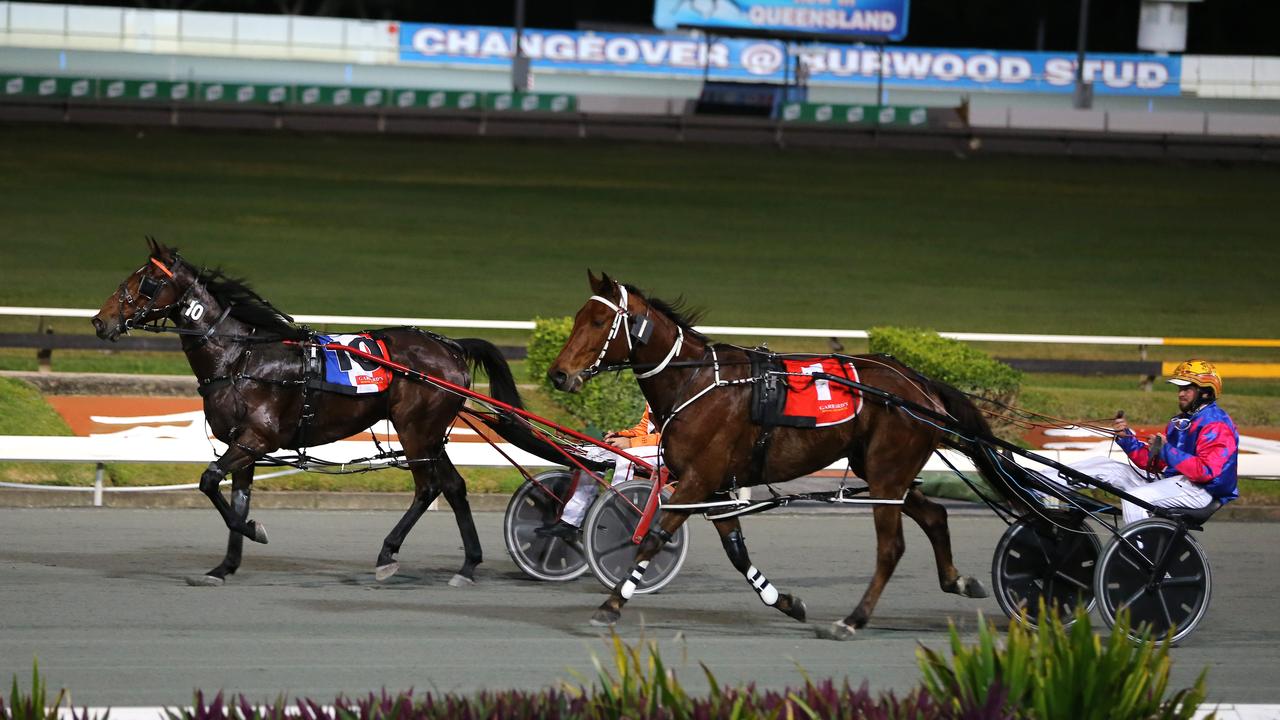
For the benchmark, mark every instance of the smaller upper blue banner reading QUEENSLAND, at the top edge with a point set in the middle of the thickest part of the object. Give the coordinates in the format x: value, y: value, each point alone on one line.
x: 863, y: 19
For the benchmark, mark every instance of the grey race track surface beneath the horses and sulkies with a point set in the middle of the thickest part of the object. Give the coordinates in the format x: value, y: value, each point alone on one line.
x: 99, y: 598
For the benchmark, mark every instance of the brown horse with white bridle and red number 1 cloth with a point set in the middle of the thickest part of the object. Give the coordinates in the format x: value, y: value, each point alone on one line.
x: 701, y: 398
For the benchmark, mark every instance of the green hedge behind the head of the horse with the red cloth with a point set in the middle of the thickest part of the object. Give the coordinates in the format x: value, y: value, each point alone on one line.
x: 606, y: 403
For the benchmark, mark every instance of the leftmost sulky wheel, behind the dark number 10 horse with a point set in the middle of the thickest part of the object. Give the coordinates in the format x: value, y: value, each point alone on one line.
x: 531, y: 508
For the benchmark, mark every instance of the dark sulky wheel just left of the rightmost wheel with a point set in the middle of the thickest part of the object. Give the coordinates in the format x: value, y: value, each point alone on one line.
x: 1037, y: 560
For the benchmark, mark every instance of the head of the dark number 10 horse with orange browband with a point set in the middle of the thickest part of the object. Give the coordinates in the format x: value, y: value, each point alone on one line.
x: 152, y: 293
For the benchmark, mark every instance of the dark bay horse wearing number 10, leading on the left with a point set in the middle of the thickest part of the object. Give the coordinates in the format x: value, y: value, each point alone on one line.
x: 249, y: 359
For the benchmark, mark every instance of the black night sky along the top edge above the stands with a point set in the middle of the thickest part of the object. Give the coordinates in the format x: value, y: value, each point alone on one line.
x: 1217, y: 28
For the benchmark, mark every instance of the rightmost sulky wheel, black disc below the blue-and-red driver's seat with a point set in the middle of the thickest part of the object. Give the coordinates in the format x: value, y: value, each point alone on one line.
x: 1127, y: 578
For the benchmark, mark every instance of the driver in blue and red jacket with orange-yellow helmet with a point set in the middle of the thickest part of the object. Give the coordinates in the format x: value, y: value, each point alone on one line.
x: 1191, y: 464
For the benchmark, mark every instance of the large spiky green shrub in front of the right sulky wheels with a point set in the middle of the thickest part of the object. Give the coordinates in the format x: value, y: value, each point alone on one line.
x: 1055, y: 673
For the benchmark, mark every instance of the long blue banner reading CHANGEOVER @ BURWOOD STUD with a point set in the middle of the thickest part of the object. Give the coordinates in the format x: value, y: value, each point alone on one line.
x: 760, y: 61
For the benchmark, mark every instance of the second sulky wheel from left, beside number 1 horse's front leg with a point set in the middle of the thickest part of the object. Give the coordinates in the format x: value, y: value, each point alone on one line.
x: 607, y: 535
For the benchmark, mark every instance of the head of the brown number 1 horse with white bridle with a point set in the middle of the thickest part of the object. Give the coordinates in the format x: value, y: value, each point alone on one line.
x: 605, y: 334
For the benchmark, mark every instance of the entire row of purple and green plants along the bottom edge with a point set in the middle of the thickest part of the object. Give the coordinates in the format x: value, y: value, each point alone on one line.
x: 1046, y: 675
